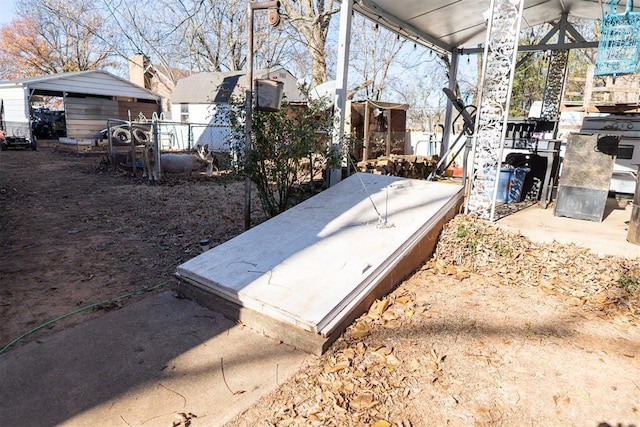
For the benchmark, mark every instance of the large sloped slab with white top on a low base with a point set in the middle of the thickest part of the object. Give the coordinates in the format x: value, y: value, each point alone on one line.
x: 305, y: 275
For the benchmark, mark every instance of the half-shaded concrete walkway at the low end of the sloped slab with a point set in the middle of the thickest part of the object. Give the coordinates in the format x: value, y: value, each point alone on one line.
x: 143, y: 365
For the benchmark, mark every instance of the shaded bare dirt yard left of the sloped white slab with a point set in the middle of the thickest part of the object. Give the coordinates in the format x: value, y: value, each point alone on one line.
x: 74, y: 232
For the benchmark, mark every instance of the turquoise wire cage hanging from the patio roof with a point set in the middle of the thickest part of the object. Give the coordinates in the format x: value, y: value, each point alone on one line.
x: 619, y: 41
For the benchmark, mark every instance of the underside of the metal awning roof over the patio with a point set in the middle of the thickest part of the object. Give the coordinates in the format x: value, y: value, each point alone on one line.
x: 447, y: 25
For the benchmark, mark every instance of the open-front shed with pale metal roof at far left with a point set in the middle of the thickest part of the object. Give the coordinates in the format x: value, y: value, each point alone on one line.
x: 89, y: 99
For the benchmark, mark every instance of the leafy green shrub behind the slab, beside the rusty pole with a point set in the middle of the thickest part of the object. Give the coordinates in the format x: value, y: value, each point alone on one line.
x: 281, y: 144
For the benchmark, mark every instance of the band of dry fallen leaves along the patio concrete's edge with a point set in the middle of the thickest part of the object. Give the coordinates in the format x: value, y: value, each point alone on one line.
x: 574, y: 274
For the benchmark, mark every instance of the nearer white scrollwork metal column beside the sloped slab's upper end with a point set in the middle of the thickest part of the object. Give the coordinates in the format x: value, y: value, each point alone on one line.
x: 501, y: 48
